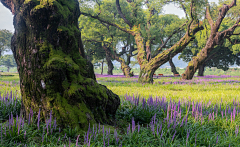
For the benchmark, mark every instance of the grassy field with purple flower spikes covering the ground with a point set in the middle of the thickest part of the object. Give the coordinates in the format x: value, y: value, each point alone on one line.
x: 171, y: 112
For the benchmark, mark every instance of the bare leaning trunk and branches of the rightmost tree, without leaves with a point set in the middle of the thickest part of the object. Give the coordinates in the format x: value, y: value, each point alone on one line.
x: 215, y: 38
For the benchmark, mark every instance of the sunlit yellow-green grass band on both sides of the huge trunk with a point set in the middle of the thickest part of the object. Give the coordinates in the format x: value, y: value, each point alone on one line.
x: 197, y: 92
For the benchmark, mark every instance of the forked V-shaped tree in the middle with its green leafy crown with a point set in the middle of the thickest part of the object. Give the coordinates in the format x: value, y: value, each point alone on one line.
x: 145, y: 25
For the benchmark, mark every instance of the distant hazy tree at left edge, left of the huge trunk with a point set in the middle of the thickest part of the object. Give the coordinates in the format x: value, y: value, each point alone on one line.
x: 5, y: 41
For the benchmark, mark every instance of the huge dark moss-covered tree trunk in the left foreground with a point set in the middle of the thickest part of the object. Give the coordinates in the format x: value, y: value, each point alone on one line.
x: 54, y: 75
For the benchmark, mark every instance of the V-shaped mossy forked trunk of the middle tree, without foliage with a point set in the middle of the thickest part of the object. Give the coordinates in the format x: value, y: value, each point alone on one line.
x: 148, y: 67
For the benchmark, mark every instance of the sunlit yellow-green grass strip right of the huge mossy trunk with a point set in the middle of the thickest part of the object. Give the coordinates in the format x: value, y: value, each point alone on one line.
x: 197, y: 92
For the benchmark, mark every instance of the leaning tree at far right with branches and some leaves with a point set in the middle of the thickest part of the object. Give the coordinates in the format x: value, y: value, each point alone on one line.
x: 217, y: 36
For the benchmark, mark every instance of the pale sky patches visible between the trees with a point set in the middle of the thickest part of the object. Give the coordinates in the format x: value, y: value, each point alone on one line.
x: 6, y: 17
